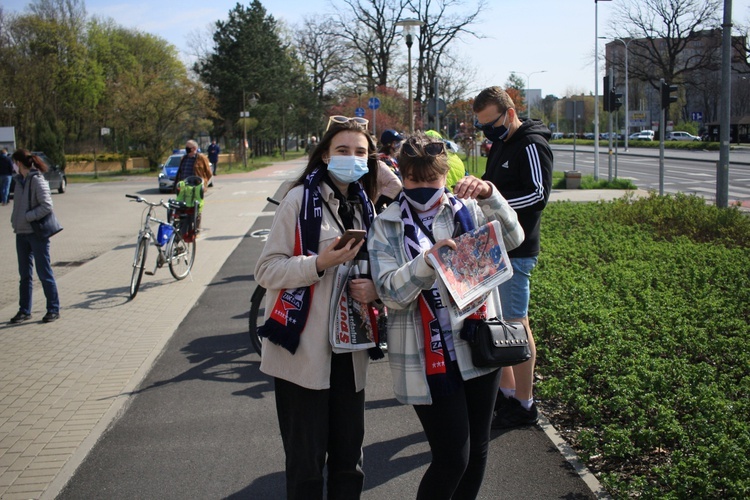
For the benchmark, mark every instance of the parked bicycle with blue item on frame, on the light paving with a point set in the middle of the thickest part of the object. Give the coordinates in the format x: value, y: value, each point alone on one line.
x: 175, y: 240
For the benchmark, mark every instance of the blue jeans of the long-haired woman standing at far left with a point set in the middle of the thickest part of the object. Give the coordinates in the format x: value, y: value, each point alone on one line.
x: 28, y: 247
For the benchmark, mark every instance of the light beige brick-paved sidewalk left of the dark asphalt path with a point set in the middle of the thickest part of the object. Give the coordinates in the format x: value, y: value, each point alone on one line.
x: 62, y: 385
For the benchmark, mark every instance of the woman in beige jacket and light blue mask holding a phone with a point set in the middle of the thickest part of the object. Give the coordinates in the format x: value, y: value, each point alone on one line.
x: 319, y: 394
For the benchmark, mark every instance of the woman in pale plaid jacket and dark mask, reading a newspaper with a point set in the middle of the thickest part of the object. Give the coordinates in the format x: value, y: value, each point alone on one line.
x: 430, y: 363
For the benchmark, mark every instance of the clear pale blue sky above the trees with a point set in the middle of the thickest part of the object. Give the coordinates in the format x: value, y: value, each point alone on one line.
x: 525, y: 36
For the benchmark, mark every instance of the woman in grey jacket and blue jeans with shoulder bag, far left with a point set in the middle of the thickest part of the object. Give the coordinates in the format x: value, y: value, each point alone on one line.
x: 31, y: 248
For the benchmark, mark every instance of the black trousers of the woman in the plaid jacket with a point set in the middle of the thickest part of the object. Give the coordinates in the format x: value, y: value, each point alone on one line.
x: 457, y: 426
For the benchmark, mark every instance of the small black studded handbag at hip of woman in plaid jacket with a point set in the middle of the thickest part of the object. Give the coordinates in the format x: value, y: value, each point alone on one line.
x: 496, y: 343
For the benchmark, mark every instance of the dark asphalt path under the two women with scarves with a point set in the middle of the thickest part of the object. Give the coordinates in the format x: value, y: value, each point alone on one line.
x: 203, y: 422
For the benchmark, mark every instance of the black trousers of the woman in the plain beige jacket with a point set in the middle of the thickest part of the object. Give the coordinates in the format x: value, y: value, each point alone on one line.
x: 320, y: 428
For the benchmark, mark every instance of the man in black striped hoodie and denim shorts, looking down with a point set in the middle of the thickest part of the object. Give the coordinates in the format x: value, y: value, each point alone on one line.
x: 520, y: 165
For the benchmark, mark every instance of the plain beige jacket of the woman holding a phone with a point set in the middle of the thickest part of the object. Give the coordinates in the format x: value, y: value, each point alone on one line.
x: 278, y: 268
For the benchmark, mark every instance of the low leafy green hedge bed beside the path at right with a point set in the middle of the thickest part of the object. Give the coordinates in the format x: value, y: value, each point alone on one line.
x: 641, y: 309
